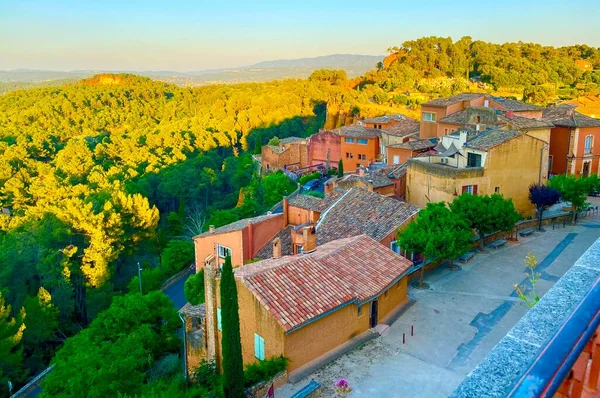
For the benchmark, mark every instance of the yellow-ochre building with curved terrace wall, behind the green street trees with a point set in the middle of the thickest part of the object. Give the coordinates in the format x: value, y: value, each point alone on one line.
x: 475, y: 162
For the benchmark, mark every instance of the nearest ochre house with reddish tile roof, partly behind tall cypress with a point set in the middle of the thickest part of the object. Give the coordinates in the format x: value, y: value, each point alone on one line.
x: 289, y: 305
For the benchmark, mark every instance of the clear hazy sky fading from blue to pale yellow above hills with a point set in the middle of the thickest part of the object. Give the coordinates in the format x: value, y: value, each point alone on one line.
x: 201, y: 34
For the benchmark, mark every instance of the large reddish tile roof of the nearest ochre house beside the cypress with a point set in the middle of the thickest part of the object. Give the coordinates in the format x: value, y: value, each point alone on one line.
x: 297, y: 289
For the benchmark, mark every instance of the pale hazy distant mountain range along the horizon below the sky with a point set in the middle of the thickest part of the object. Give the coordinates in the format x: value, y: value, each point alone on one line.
x: 354, y: 65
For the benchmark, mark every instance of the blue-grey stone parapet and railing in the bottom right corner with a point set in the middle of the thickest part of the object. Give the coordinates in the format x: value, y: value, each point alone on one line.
x: 554, y: 350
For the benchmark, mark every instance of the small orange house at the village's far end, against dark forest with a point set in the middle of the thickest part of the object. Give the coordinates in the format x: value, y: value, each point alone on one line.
x: 290, y: 154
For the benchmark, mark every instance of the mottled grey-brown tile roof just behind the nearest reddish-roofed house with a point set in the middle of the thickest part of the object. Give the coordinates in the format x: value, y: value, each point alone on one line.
x: 363, y: 212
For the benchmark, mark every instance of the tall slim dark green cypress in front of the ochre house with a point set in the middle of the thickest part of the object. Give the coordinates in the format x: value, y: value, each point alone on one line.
x: 233, y: 367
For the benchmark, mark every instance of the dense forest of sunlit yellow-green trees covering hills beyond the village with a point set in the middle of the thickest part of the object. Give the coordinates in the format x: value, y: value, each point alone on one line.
x: 100, y: 174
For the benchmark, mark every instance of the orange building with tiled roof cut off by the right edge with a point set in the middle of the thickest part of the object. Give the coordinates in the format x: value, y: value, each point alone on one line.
x: 573, y: 141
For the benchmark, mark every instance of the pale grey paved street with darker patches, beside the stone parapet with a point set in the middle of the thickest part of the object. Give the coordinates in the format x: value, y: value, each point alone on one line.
x: 456, y: 322
